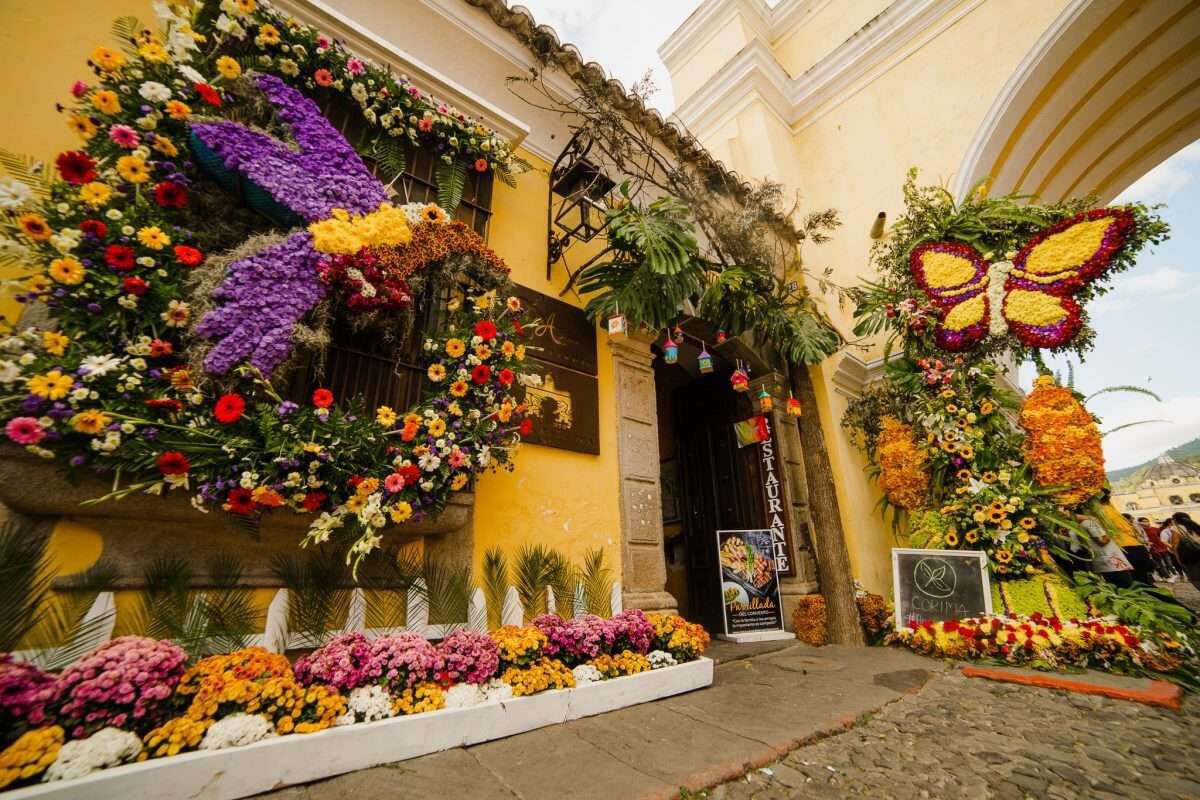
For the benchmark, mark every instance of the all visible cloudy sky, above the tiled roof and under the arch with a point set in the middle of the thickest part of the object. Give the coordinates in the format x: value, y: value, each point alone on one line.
x: 1148, y: 329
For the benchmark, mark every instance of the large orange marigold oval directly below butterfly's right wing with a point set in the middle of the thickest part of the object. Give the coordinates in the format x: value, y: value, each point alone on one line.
x: 1063, y: 443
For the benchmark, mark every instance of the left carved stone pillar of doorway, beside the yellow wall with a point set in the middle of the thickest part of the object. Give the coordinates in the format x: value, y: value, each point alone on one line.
x: 644, y: 572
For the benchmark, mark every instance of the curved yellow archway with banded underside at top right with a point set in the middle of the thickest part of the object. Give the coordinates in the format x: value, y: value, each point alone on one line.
x: 1109, y: 92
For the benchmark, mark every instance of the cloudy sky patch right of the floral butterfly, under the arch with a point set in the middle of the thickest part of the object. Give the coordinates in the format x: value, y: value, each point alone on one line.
x: 1148, y: 329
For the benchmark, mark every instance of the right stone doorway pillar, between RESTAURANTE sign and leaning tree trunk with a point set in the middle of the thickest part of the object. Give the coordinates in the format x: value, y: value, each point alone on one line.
x: 790, y: 466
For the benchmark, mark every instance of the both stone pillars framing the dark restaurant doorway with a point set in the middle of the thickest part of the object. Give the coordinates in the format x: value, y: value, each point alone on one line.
x: 644, y: 558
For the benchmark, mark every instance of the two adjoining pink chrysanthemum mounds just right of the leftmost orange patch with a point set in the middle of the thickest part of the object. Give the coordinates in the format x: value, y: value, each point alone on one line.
x: 352, y: 660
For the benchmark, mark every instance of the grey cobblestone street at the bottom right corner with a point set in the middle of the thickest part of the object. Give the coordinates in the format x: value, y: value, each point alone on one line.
x: 971, y: 738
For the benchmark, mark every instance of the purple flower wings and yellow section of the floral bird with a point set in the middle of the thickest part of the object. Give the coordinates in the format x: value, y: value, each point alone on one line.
x: 322, y: 183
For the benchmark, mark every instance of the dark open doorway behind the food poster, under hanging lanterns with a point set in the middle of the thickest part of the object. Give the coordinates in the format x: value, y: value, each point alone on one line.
x: 721, y: 485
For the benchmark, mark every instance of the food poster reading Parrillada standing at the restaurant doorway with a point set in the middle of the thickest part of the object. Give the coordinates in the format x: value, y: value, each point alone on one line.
x: 749, y: 582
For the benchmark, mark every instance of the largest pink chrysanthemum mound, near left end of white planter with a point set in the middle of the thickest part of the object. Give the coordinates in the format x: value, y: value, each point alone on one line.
x: 123, y: 683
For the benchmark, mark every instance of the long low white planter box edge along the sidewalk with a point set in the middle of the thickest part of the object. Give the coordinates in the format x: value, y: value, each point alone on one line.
x: 299, y: 759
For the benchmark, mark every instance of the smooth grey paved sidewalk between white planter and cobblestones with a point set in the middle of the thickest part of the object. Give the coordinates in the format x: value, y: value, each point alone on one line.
x: 757, y: 711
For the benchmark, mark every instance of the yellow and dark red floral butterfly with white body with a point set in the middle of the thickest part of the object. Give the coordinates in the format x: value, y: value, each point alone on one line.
x: 1031, y: 297
